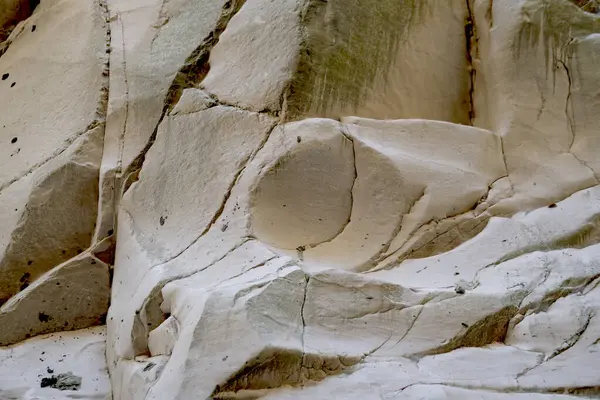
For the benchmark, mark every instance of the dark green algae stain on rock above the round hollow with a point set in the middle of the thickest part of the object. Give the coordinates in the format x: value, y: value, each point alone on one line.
x: 347, y: 44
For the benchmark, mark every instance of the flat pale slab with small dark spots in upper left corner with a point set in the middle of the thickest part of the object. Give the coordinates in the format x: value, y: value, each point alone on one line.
x: 68, y: 94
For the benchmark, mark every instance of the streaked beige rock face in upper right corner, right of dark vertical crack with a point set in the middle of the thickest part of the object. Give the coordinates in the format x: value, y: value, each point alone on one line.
x: 533, y: 60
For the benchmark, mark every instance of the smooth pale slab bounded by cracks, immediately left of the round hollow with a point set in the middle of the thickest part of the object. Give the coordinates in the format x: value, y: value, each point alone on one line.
x: 211, y: 147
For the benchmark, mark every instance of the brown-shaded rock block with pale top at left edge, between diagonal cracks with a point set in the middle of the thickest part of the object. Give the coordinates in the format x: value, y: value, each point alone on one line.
x: 53, y: 215
